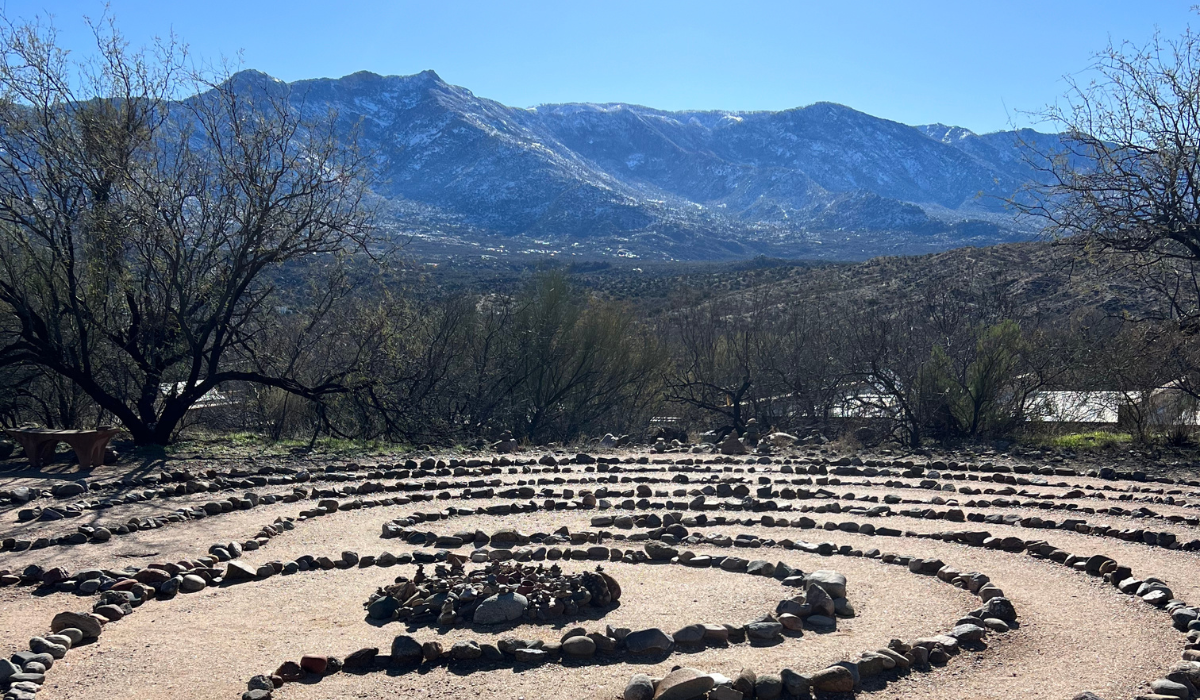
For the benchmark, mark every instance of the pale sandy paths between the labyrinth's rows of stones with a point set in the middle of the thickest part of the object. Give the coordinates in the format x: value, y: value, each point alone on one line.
x: 1076, y: 635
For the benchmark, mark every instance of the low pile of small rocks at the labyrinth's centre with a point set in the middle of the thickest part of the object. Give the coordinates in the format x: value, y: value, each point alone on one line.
x: 496, y: 594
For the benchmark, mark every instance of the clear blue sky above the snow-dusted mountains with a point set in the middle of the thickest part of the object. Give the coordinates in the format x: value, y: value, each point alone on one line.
x: 970, y: 64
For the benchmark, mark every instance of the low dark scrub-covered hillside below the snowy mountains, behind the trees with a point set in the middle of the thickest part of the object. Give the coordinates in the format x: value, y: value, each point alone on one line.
x: 1037, y: 279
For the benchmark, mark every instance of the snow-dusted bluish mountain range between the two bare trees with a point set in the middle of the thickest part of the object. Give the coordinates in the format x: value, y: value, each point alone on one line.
x: 823, y: 181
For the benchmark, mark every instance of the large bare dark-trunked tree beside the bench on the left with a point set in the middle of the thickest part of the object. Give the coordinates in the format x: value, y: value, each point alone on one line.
x: 143, y: 241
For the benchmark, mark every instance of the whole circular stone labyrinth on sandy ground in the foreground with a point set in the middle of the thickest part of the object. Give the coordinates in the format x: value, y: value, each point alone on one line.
x: 631, y: 576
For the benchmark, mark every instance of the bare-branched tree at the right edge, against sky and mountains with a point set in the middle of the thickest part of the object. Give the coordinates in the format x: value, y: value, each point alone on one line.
x: 1125, y: 176
